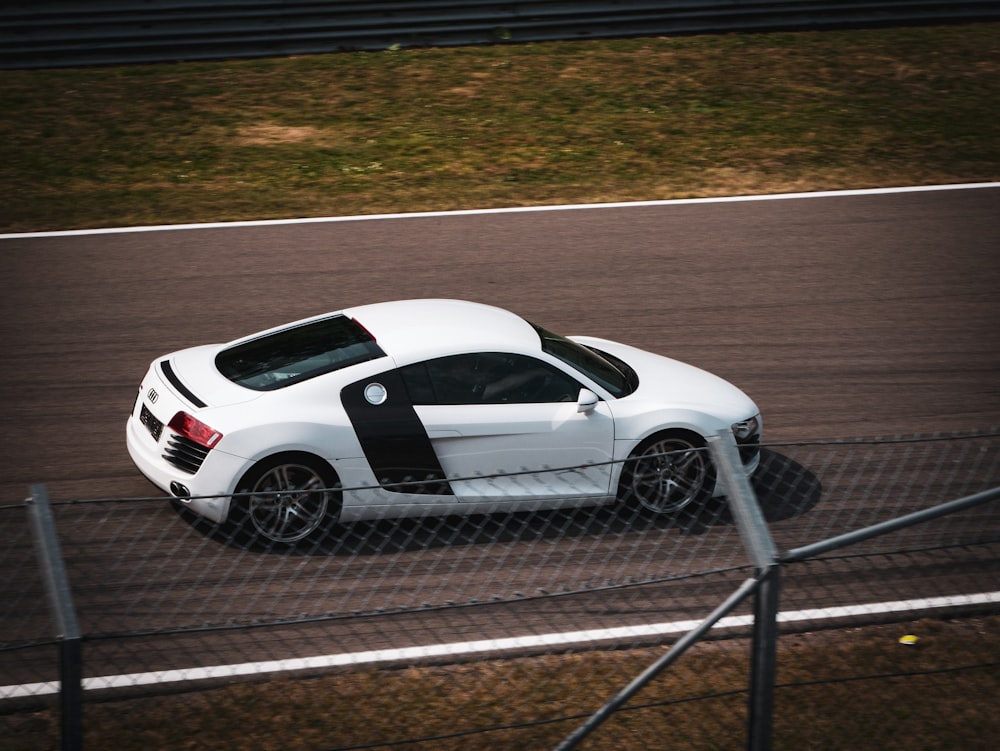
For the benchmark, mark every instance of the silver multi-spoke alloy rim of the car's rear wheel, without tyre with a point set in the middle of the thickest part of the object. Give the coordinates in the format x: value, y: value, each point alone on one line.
x: 288, y: 502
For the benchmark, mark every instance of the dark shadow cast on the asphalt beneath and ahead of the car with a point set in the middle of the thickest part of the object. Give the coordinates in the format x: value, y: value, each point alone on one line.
x: 784, y: 489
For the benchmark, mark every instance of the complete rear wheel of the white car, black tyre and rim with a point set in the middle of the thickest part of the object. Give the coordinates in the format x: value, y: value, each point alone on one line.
x: 290, y: 497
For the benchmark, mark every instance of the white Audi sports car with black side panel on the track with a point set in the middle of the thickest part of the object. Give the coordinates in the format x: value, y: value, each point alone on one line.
x: 427, y: 406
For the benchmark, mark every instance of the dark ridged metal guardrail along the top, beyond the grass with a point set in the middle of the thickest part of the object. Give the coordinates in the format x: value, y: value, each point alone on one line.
x: 58, y: 33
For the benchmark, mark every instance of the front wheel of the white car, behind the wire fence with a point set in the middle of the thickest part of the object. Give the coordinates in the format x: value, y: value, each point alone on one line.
x: 669, y: 474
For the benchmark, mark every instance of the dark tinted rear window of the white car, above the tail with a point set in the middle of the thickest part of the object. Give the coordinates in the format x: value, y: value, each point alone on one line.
x: 295, y: 354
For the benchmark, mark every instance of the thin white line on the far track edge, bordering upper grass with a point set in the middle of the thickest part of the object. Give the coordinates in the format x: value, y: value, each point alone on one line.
x: 513, y: 210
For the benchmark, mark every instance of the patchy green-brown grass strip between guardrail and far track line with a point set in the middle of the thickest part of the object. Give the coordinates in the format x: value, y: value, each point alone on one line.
x: 438, y: 129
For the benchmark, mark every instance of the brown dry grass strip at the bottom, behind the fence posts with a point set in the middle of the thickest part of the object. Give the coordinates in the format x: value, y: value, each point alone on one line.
x: 855, y: 688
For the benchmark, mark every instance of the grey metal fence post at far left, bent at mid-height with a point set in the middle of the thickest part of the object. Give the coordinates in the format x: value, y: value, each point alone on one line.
x: 67, y: 629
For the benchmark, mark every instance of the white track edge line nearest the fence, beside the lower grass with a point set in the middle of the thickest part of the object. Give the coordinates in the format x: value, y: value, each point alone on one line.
x: 459, y: 649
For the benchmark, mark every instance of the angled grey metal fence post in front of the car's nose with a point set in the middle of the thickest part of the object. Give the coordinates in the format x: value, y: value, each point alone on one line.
x: 764, y: 556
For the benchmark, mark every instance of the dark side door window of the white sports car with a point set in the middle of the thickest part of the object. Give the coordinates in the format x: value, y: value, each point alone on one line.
x: 488, y: 378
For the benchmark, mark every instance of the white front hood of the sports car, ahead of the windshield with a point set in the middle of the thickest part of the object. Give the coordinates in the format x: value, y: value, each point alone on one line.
x: 665, y: 380
